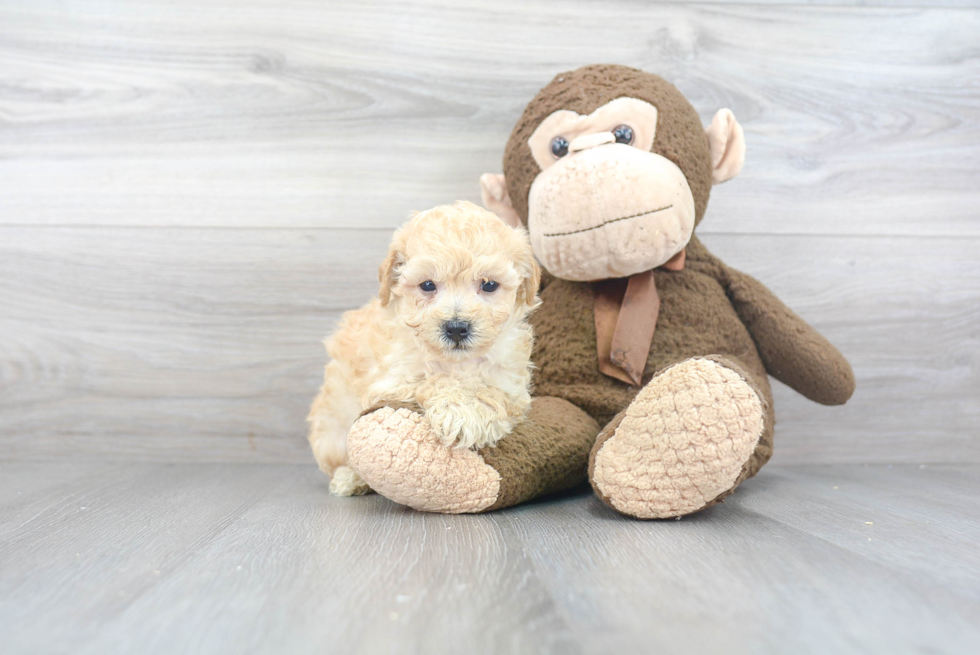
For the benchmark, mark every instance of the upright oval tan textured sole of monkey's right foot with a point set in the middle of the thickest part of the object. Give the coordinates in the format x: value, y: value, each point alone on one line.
x: 682, y: 442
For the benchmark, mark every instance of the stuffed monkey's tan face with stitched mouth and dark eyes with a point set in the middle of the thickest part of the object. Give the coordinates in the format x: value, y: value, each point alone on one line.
x: 604, y: 205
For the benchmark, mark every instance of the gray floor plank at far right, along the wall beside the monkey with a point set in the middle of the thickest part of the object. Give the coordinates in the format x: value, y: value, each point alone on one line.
x: 896, y: 514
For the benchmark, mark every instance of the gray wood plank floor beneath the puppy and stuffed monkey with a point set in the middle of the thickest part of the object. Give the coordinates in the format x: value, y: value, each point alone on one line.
x: 233, y: 558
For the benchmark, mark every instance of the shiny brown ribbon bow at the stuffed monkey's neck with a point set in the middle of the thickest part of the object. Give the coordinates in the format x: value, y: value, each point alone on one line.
x: 626, y: 312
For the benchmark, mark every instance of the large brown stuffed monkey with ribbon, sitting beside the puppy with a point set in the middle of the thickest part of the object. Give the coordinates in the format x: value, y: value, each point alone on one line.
x: 652, y: 355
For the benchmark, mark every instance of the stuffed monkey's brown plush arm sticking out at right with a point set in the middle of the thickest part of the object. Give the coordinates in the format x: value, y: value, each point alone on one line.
x: 792, y: 351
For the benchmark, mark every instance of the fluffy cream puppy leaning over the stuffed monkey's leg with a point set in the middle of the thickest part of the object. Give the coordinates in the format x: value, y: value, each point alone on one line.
x: 448, y: 332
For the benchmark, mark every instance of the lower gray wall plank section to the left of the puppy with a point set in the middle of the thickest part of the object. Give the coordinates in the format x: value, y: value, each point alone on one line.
x: 199, y: 340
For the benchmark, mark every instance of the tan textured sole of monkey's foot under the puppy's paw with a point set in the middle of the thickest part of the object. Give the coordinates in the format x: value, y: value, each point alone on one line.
x: 396, y: 452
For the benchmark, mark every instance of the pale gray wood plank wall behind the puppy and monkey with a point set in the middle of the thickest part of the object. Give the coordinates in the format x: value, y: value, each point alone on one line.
x: 191, y: 192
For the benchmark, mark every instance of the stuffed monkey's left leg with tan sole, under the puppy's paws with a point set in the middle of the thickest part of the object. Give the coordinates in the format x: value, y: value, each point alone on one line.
x: 396, y: 452
